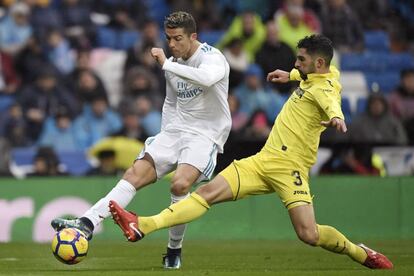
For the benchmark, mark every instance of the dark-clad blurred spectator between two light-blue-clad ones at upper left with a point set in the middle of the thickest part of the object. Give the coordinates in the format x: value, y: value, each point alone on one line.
x: 30, y: 60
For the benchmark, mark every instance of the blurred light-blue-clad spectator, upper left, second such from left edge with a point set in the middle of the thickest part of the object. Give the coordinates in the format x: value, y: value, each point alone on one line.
x: 59, y: 52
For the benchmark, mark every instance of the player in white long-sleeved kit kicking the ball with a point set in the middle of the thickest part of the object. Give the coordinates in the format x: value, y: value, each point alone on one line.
x: 196, y: 122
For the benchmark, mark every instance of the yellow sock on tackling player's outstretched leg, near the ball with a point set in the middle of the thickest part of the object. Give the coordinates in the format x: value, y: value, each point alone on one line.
x: 181, y: 212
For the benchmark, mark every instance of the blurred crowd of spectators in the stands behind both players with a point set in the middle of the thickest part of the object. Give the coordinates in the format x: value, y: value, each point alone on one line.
x: 55, y: 94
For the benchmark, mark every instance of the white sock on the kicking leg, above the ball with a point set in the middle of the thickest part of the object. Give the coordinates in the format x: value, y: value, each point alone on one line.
x: 122, y: 193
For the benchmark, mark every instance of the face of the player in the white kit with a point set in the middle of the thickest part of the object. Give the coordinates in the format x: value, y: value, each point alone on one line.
x: 179, y: 42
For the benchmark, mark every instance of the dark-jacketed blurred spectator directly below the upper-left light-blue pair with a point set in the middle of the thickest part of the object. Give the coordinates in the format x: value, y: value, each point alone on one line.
x: 43, y: 99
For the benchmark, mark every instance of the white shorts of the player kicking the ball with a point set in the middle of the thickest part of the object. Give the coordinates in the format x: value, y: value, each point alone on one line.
x: 168, y: 149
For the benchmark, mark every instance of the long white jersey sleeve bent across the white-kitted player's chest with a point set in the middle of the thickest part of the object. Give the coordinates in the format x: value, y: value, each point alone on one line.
x: 211, y: 70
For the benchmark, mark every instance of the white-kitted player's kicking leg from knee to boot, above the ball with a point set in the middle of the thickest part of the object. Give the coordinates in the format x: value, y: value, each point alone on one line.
x: 139, y: 175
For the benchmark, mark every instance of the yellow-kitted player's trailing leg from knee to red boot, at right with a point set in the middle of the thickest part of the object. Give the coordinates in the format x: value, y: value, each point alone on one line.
x: 327, y: 237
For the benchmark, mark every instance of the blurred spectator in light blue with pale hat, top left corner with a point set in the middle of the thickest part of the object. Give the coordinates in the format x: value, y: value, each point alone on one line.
x: 15, y: 29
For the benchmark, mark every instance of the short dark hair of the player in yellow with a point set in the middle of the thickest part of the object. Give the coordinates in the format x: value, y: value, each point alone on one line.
x: 317, y: 44
